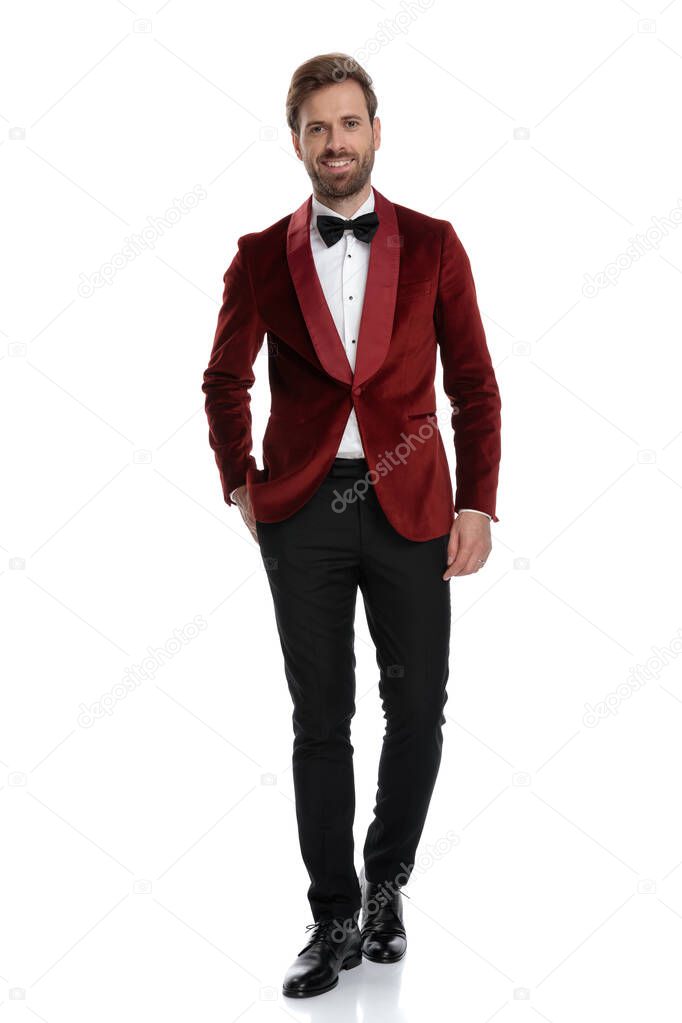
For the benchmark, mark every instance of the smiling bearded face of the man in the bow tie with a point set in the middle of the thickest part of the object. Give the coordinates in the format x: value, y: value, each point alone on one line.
x: 336, y: 130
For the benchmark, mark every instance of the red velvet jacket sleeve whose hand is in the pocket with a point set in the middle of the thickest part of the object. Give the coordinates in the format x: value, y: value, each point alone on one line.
x: 230, y: 377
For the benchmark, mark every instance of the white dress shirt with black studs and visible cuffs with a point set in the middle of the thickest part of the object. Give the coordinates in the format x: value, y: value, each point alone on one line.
x: 342, y: 270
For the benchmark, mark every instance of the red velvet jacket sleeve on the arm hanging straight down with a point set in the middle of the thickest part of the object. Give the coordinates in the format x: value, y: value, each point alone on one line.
x: 469, y: 380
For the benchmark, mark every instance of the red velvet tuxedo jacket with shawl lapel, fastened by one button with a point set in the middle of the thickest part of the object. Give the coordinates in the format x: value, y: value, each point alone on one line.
x: 420, y: 299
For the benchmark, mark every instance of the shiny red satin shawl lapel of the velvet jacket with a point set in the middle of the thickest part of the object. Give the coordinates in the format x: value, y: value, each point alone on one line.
x: 380, y: 301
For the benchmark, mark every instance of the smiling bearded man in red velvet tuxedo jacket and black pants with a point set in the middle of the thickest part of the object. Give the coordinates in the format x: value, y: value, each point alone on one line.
x: 357, y: 296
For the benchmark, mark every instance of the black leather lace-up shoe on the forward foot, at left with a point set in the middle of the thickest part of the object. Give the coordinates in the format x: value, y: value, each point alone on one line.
x: 332, y: 948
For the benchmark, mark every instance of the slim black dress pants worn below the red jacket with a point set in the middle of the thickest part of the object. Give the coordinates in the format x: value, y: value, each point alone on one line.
x: 316, y: 560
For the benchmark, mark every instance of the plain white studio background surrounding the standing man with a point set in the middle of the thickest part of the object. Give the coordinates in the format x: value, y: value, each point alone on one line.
x: 151, y: 868
